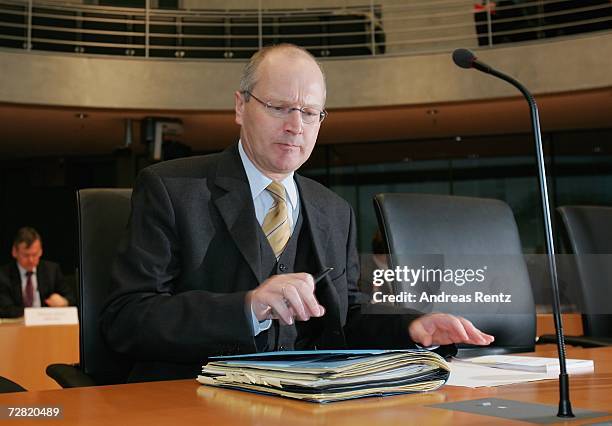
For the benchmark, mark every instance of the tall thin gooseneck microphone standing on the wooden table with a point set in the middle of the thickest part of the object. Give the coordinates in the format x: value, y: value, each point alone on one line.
x: 466, y: 59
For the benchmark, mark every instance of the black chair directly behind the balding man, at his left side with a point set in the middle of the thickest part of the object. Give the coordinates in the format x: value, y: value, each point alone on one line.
x: 102, y: 219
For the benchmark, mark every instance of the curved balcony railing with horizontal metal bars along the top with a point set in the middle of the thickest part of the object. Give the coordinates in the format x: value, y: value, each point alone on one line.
x: 377, y: 27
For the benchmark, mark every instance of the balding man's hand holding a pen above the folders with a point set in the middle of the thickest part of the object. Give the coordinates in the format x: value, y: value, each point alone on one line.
x: 285, y: 297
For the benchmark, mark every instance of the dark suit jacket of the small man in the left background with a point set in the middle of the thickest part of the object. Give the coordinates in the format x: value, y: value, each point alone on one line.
x: 50, y: 280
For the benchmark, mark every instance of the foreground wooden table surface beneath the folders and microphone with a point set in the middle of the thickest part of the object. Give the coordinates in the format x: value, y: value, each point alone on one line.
x: 185, y: 402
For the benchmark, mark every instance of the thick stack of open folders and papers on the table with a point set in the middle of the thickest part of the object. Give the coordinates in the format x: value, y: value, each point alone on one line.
x: 327, y: 376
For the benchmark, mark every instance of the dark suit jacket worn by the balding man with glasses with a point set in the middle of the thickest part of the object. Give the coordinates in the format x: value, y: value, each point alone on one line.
x: 191, y: 254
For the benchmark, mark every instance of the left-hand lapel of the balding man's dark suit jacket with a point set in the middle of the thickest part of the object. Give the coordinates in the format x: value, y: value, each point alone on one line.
x: 235, y: 205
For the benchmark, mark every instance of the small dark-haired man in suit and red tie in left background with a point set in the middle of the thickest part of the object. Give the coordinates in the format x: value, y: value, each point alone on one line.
x: 31, y: 281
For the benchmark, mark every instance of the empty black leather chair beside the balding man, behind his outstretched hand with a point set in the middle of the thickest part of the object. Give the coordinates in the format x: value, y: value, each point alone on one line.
x: 448, y: 232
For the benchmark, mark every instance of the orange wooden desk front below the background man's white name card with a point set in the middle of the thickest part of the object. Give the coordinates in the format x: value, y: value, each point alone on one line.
x: 25, y: 352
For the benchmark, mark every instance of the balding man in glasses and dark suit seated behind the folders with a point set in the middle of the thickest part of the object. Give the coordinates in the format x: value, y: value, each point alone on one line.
x: 196, y: 276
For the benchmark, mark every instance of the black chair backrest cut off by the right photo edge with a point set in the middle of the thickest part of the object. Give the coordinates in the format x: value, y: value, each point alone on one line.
x: 589, y: 234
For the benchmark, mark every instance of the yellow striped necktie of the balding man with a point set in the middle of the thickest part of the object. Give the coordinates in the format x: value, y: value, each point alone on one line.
x: 276, y: 223
